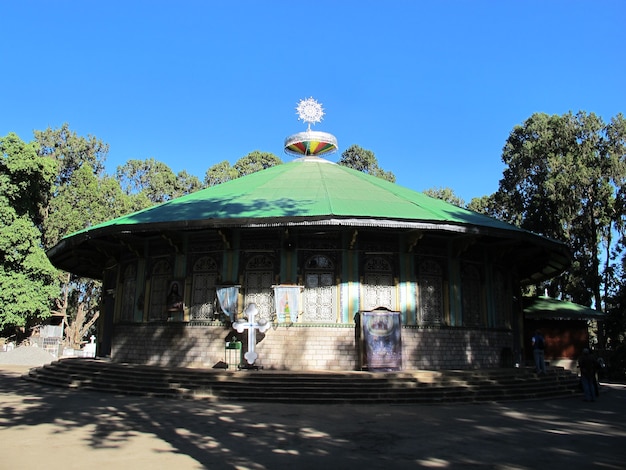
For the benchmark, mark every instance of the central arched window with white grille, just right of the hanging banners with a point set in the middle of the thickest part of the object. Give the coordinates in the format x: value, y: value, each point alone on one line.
x: 320, y: 291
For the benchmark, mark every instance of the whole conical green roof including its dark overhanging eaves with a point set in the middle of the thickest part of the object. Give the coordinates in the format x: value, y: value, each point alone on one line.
x: 309, y: 191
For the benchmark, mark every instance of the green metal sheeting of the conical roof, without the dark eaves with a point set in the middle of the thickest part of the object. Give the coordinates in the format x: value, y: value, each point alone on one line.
x: 307, y: 189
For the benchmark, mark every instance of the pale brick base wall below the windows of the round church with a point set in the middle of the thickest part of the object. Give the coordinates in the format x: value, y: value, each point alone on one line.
x: 301, y: 347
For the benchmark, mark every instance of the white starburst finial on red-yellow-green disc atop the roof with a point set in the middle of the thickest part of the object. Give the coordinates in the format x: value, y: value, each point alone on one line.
x: 310, y: 143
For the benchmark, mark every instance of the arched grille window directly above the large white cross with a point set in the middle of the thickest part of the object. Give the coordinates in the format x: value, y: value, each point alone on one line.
x: 259, y: 278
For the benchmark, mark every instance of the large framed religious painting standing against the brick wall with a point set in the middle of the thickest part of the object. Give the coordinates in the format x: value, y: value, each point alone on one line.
x: 381, y: 340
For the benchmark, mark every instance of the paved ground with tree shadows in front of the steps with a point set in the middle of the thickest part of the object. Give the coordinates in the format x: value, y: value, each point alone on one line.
x: 52, y: 428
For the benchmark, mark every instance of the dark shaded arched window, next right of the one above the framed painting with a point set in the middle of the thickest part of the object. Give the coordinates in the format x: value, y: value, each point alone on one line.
x: 430, y: 284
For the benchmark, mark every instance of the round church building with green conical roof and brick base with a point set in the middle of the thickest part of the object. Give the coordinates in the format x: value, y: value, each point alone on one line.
x: 310, y: 265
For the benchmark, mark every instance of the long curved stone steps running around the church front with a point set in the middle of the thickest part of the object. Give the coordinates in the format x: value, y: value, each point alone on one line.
x: 307, y: 387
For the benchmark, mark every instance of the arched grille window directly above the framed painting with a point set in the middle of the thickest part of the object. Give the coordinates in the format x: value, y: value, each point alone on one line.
x: 378, y: 288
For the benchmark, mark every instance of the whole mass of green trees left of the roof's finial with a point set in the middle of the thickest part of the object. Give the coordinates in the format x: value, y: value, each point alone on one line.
x: 56, y: 185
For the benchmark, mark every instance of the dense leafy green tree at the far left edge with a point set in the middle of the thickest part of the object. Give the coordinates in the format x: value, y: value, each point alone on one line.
x: 28, y: 282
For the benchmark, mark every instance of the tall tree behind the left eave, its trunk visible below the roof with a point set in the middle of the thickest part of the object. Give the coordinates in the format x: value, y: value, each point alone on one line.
x: 82, y: 195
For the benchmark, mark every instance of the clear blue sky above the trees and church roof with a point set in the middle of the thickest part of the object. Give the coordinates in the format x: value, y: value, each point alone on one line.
x: 432, y: 88
